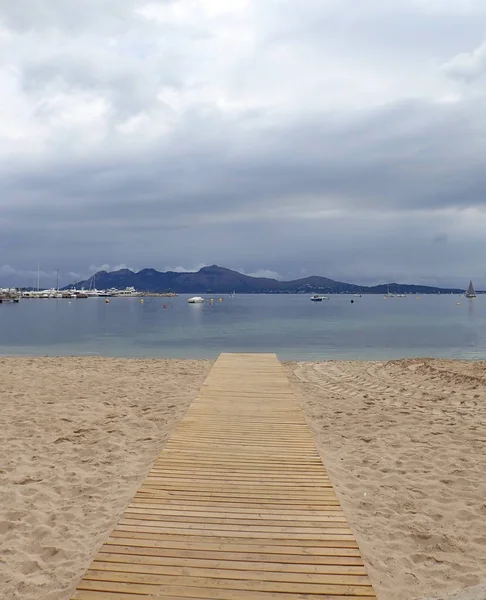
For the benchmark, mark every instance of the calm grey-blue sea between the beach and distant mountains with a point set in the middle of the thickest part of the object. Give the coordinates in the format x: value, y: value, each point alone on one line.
x: 290, y: 325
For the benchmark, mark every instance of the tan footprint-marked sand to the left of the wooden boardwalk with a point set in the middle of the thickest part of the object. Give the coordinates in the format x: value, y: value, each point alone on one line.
x: 77, y: 437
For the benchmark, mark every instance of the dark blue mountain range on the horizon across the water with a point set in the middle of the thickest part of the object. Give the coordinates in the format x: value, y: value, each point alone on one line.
x: 215, y: 279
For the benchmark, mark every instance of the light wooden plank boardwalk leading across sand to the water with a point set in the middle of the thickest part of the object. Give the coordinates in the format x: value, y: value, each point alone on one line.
x: 238, y: 505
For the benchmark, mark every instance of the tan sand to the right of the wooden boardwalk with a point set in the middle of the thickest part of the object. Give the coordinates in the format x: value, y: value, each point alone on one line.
x: 405, y: 445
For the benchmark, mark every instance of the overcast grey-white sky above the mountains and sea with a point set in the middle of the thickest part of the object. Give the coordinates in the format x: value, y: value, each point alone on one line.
x: 345, y: 138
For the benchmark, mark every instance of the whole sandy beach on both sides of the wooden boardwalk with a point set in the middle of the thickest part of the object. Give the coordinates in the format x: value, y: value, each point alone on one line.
x: 404, y: 443
